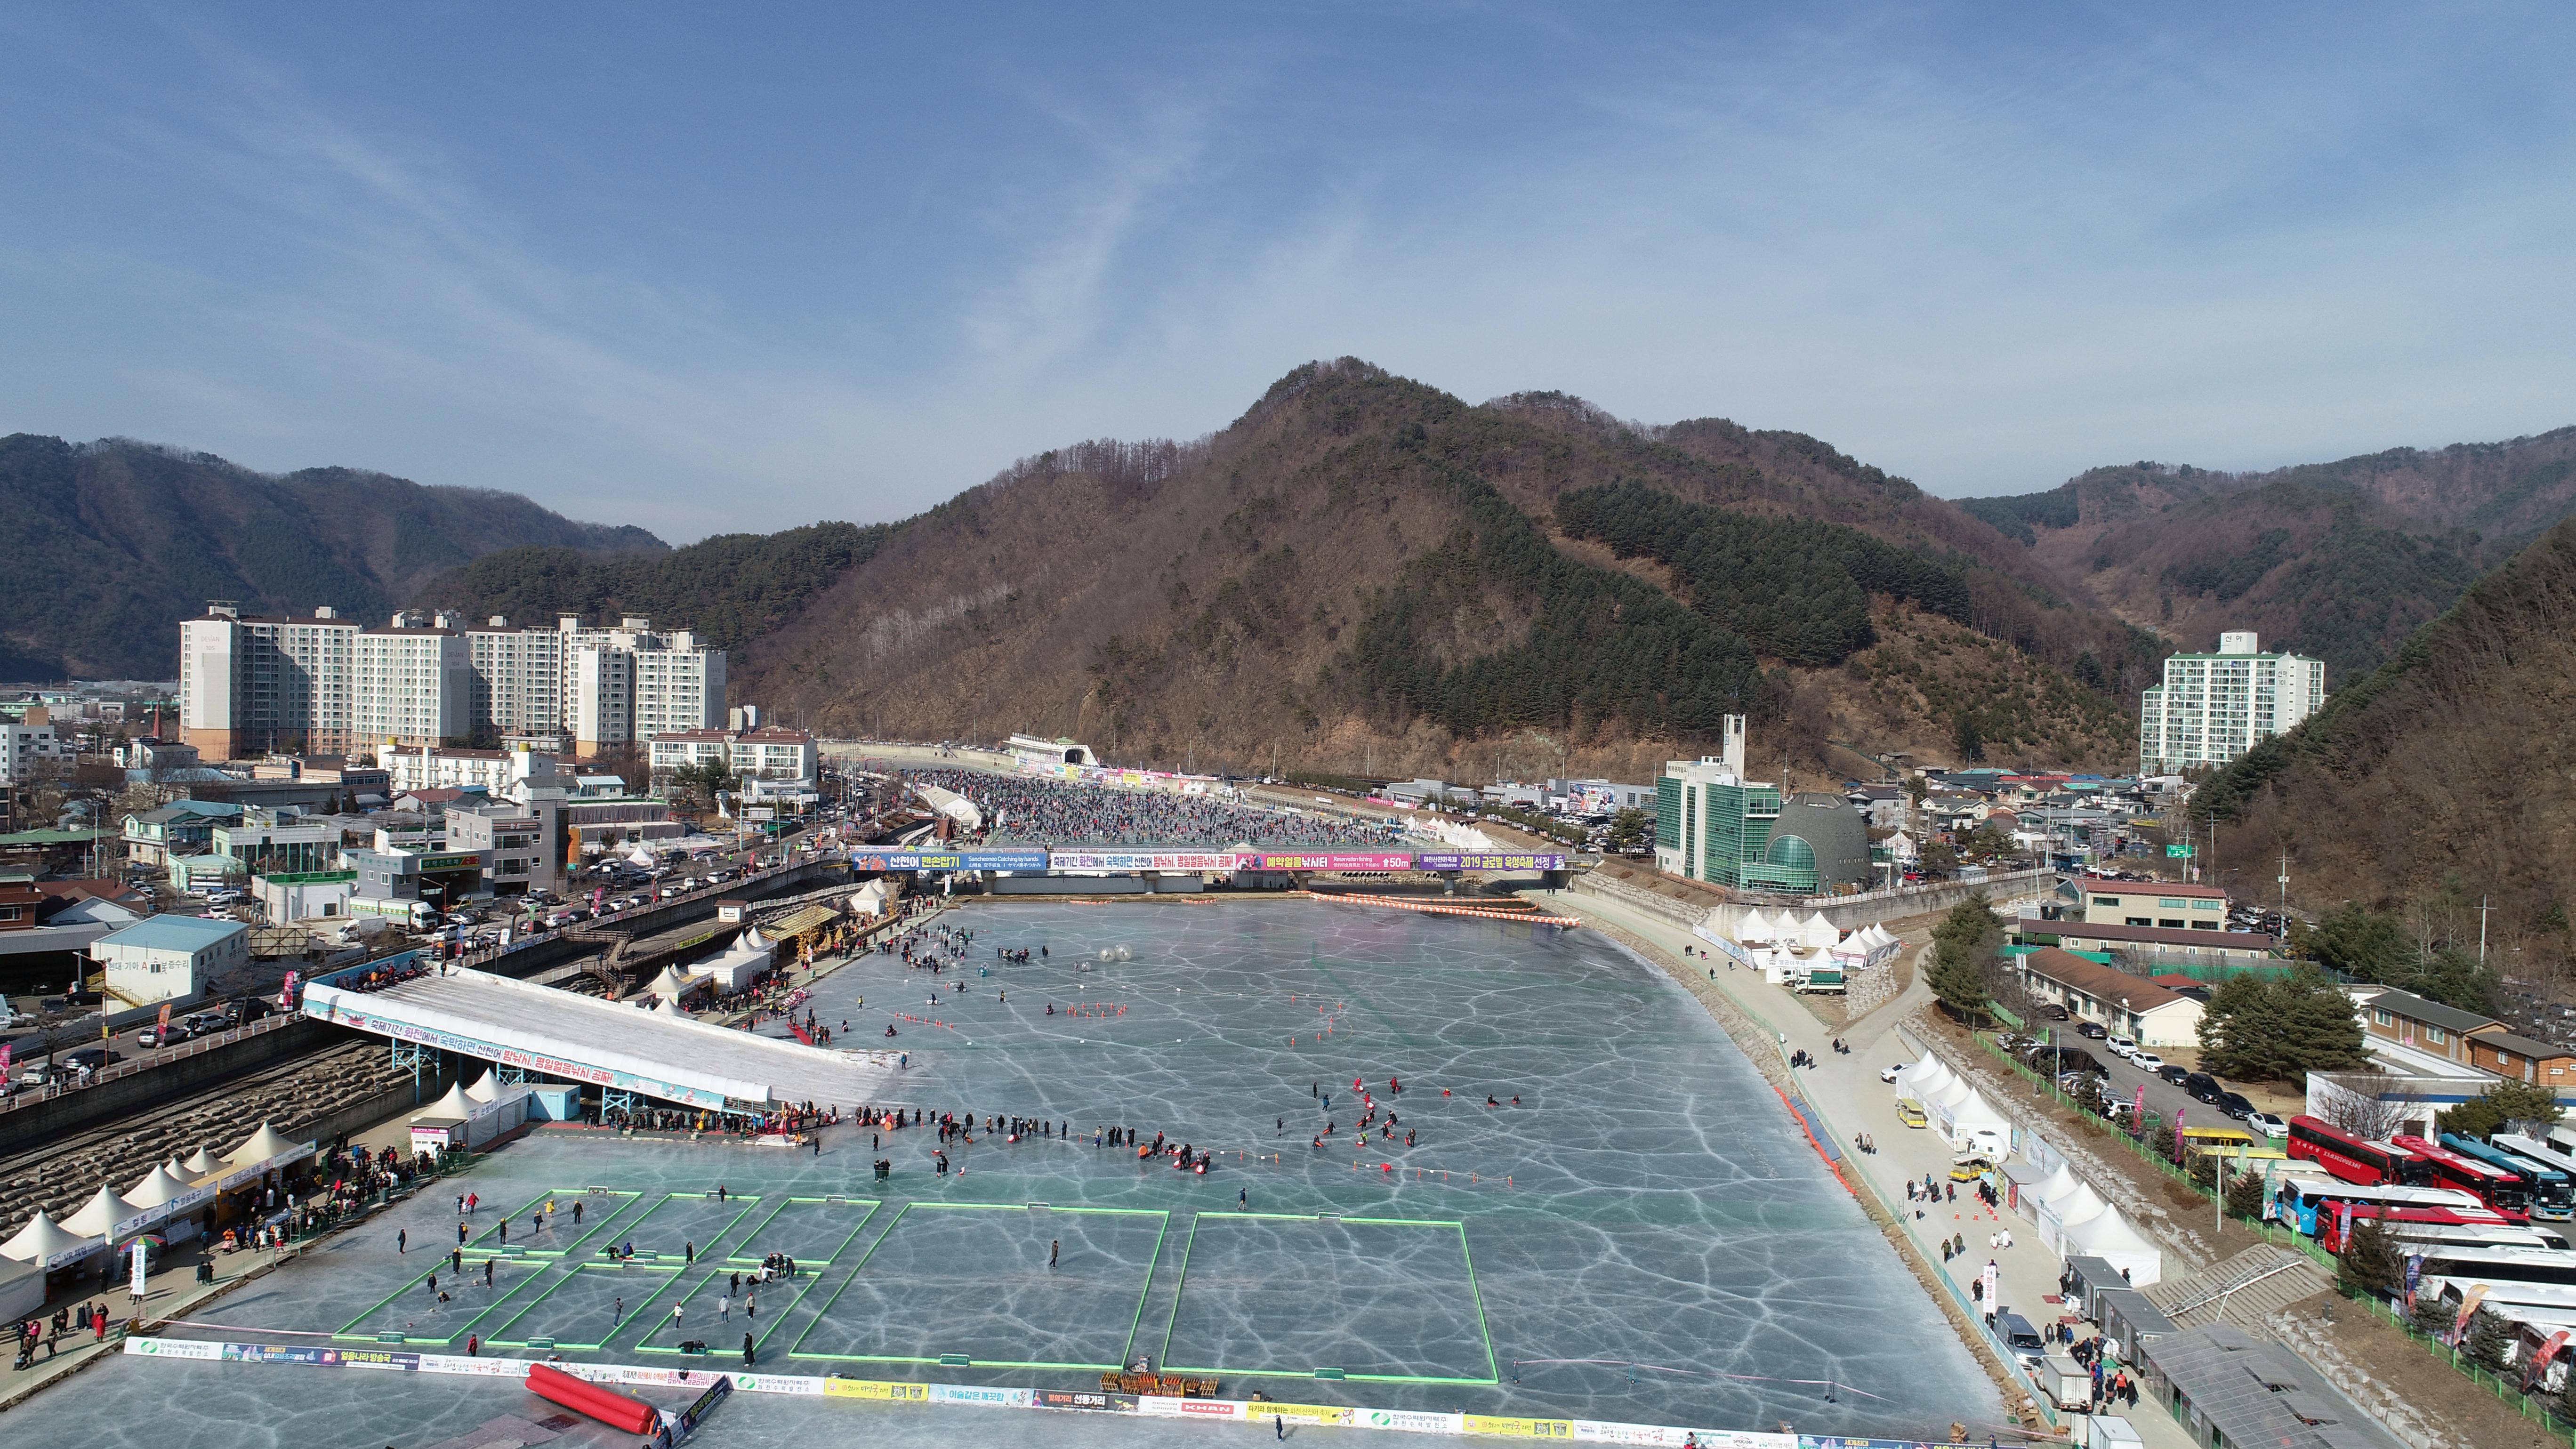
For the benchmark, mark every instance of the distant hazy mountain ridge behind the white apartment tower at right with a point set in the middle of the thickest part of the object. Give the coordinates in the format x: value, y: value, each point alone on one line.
x: 2335, y: 561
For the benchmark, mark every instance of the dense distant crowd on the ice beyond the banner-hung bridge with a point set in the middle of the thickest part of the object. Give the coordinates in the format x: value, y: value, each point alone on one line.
x: 1057, y: 813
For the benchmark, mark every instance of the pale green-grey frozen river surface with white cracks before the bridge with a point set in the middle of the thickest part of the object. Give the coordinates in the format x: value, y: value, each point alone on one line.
x: 1645, y: 1239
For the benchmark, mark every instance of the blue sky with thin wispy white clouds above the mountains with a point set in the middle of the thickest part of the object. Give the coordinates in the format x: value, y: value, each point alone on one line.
x: 746, y: 267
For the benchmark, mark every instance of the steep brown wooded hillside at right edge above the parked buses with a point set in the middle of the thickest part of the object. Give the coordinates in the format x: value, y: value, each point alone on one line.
x: 2441, y: 780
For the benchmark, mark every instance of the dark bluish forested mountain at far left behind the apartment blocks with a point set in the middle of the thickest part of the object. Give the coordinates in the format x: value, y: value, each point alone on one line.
x: 104, y: 548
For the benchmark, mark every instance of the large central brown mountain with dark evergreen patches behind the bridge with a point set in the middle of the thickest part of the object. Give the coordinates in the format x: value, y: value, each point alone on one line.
x: 1369, y: 574
